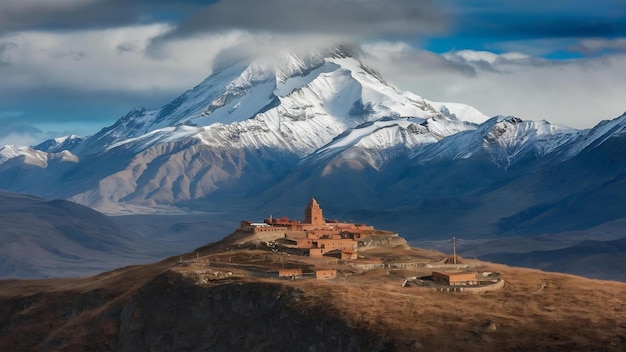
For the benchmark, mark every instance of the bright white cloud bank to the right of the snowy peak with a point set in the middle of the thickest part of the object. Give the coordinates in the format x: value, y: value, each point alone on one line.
x: 576, y: 93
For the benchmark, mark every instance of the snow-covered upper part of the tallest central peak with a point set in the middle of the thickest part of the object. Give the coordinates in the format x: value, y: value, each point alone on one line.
x: 296, y: 105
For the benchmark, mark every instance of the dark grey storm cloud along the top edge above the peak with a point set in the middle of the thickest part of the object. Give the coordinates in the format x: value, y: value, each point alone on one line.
x: 339, y: 17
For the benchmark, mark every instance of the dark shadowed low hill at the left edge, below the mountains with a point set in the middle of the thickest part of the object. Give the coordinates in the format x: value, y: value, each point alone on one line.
x: 45, y: 238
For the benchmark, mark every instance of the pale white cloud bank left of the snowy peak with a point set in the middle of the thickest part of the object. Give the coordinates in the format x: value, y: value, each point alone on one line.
x: 111, y: 59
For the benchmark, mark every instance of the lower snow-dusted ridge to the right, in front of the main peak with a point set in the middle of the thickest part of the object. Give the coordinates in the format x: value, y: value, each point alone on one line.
x: 505, y: 140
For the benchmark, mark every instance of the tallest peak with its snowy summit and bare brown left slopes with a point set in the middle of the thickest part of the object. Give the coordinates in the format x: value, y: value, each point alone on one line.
x: 242, y: 129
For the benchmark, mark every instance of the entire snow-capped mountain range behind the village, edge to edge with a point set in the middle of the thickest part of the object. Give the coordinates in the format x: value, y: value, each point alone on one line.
x: 263, y: 136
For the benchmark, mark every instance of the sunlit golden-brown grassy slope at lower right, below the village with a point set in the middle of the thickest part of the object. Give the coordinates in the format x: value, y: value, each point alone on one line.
x: 569, y: 313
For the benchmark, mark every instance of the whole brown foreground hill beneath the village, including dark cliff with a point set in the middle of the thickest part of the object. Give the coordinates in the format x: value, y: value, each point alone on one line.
x: 225, y: 297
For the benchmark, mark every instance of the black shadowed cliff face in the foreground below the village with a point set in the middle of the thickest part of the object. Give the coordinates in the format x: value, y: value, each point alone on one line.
x: 171, y: 313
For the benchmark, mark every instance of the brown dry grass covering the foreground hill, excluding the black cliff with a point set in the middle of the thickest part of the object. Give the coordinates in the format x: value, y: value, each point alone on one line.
x: 534, y: 311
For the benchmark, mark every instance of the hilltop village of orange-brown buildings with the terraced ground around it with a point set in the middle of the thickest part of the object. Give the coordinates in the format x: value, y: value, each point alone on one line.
x: 329, y: 249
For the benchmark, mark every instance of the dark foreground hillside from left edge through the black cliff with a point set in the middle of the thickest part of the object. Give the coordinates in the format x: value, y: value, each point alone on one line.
x: 172, y: 313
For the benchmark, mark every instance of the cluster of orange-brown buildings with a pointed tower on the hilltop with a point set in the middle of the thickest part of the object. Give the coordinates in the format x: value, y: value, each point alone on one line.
x: 357, y: 247
